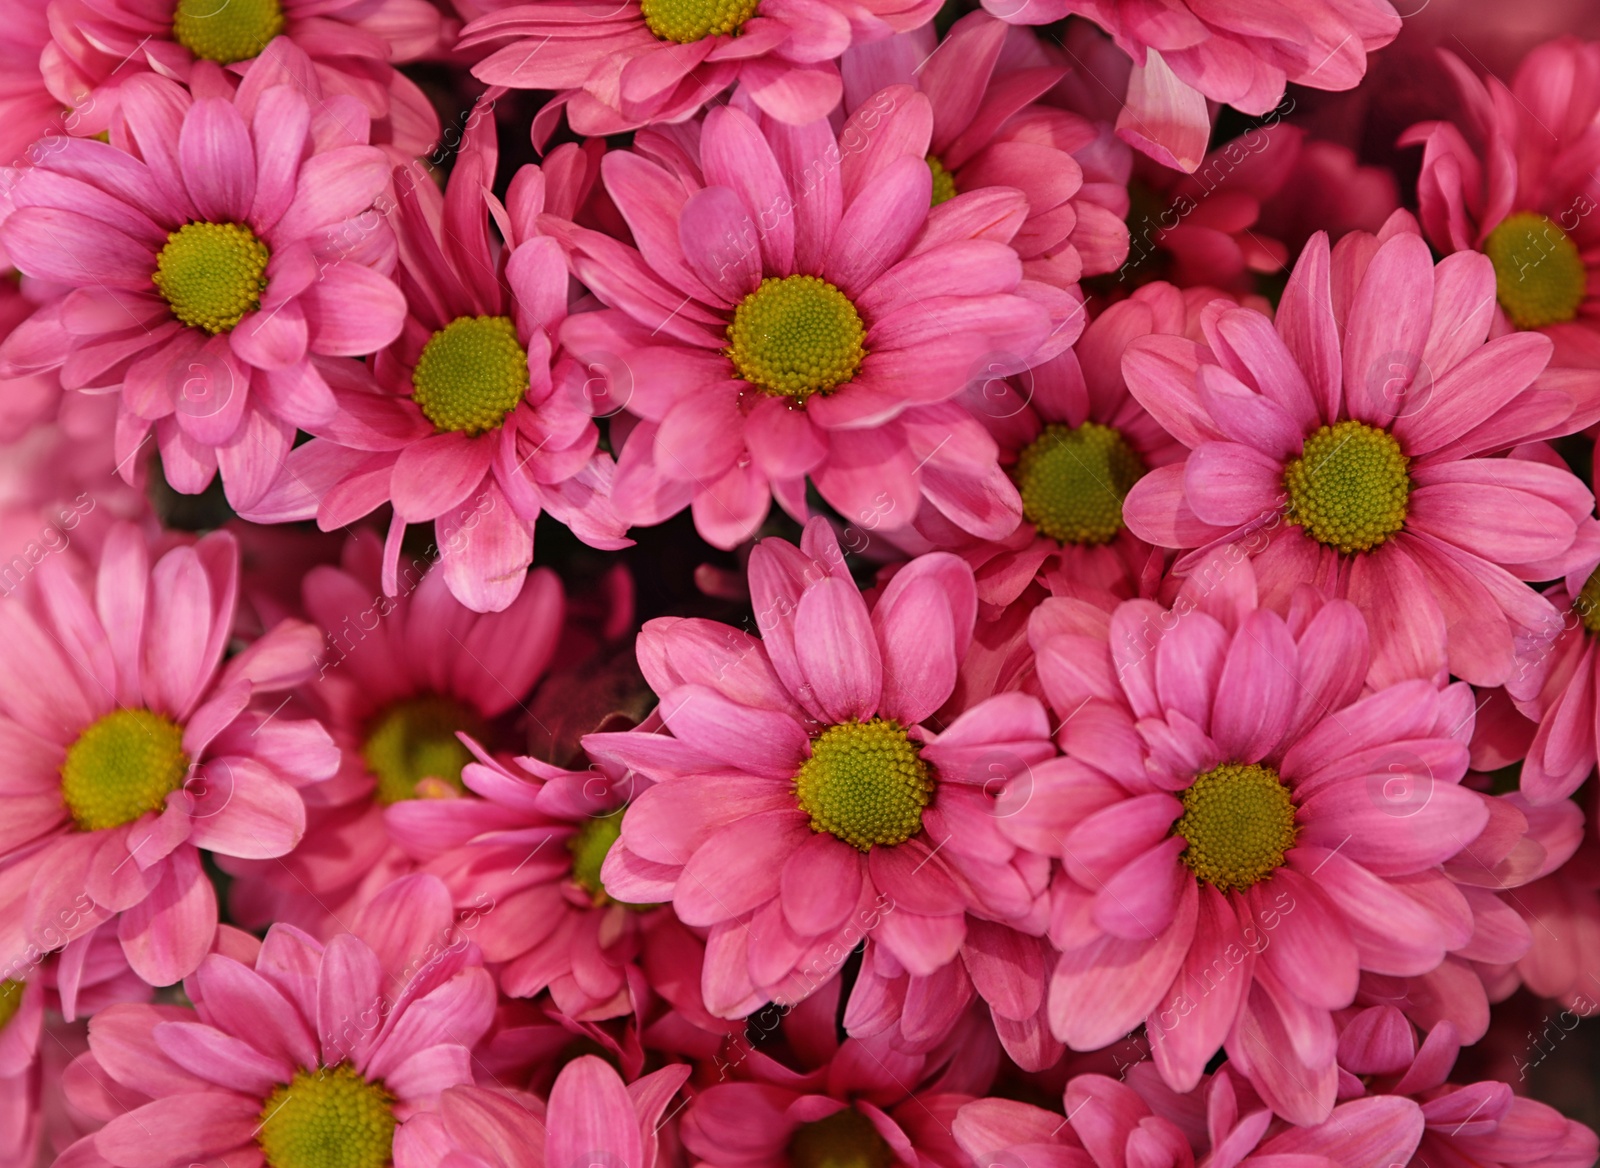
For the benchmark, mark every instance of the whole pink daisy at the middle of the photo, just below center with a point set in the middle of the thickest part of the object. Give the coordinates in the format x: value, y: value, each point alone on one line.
x: 812, y: 791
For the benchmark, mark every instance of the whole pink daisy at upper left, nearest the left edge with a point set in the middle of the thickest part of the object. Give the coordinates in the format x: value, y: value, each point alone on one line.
x: 204, y: 265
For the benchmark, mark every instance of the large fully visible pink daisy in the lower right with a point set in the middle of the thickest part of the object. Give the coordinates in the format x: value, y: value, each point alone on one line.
x: 1234, y: 854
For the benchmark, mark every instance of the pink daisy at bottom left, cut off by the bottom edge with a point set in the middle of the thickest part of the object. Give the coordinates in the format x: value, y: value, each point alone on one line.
x: 297, y: 1054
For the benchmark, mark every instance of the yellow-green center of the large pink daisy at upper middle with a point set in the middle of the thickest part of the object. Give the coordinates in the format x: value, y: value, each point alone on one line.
x: 796, y: 337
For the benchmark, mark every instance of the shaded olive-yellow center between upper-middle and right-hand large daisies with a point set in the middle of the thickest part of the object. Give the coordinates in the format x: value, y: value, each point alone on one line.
x: 1074, y: 481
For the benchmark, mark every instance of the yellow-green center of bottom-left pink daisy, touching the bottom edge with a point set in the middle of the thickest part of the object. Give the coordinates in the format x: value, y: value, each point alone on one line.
x: 330, y: 1118
